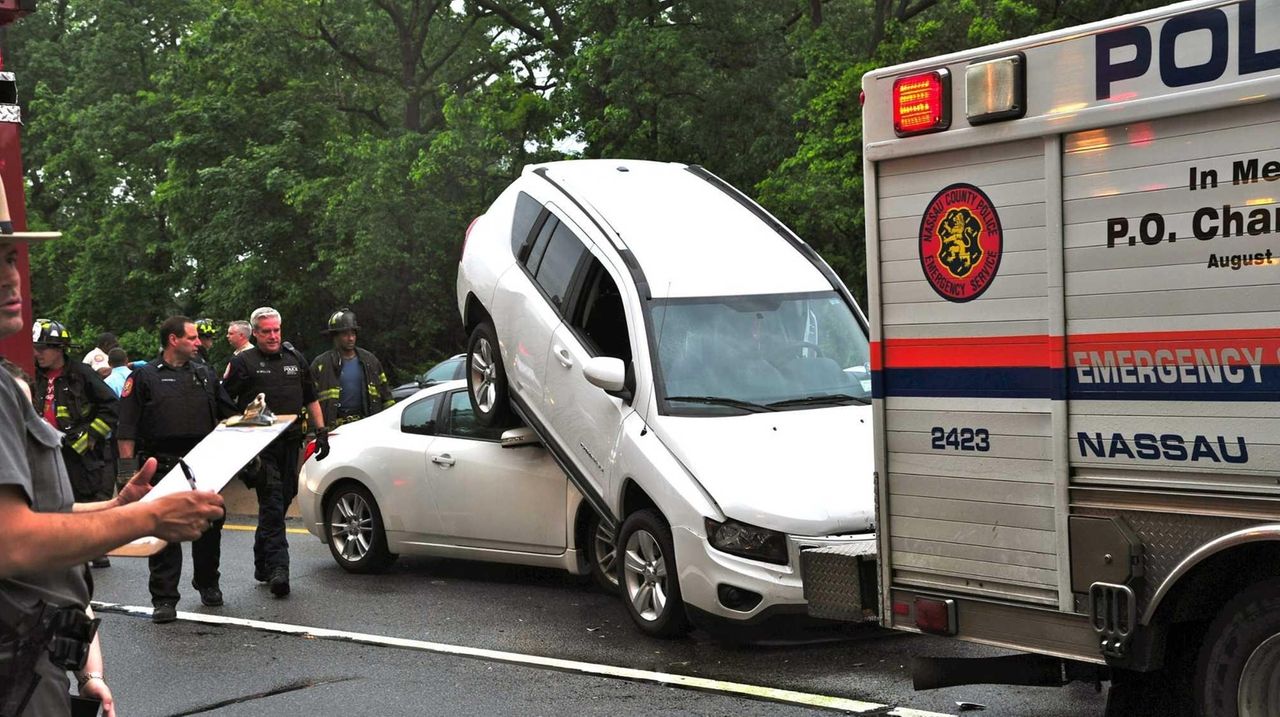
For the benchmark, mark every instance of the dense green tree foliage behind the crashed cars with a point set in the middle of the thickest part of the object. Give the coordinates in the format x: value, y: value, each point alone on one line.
x: 213, y: 157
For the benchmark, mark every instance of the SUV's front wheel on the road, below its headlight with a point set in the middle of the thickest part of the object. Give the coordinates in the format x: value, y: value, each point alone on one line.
x: 650, y: 578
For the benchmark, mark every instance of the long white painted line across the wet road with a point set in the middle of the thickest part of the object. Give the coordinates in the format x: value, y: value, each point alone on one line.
x: 703, y: 684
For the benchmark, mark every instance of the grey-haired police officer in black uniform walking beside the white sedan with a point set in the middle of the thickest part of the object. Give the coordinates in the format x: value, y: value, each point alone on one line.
x: 280, y: 372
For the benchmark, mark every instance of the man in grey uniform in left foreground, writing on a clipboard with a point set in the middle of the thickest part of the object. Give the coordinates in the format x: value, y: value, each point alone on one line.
x: 44, y: 587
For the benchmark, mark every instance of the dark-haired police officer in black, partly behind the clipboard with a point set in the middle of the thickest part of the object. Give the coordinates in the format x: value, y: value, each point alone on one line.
x: 167, y: 408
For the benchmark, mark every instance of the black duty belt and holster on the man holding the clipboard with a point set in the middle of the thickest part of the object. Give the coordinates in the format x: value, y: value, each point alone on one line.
x: 62, y: 633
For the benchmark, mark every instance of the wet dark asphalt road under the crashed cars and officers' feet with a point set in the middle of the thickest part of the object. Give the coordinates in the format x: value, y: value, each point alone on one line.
x: 189, y: 668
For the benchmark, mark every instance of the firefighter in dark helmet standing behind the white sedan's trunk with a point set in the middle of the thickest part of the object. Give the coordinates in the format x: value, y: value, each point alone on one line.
x: 350, y: 380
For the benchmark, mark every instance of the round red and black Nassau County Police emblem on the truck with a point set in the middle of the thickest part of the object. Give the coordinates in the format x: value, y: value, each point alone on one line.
x: 962, y: 243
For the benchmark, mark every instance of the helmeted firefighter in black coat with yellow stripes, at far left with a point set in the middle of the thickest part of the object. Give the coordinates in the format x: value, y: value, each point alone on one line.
x: 76, y: 401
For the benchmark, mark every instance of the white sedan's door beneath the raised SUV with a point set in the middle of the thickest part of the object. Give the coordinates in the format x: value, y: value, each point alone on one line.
x: 495, y: 497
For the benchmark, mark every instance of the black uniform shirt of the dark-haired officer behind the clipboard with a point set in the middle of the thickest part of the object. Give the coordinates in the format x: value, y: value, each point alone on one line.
x: 170, y: 409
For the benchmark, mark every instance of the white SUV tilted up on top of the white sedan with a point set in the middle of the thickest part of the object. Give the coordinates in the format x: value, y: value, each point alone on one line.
x: 700, y: 373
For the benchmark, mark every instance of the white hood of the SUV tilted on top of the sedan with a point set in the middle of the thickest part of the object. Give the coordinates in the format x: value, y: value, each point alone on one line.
x: 803, y: 473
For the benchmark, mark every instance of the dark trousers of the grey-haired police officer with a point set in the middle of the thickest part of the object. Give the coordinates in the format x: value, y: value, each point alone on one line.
x: 277, y: 486
